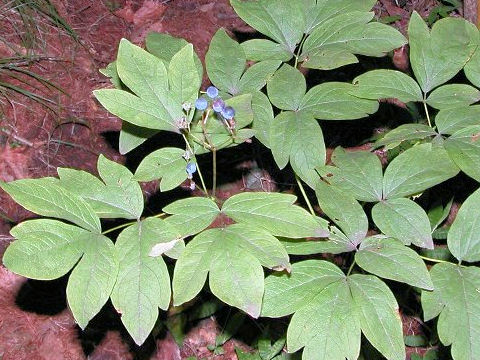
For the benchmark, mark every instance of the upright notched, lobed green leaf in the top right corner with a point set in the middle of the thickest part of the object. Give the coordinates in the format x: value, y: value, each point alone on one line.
x: 438, y: 55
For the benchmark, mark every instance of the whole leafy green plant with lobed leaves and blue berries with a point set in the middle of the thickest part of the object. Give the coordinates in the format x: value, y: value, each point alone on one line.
x: 155, y: 91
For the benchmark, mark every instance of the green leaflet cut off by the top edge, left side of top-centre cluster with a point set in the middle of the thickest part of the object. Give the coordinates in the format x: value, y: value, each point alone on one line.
x: 281, y: 20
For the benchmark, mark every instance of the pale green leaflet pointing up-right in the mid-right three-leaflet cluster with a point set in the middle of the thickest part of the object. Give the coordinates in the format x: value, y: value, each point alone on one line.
x: 417, y: 169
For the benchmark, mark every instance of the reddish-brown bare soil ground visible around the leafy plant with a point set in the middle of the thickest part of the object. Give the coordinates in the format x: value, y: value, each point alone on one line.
x: 34, y: 141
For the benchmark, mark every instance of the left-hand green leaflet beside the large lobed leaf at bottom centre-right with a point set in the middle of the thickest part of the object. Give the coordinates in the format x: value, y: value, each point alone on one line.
x: 287, y: 293
